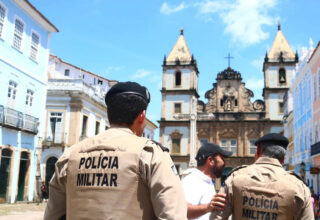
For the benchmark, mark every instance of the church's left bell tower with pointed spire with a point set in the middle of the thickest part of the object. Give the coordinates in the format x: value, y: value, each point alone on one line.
x: 179, y: 91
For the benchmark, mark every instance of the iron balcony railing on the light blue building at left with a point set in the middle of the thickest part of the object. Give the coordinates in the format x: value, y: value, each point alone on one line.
x: 13, y: 118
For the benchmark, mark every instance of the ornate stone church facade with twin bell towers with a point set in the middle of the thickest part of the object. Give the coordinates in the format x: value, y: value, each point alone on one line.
x: 228, y: 117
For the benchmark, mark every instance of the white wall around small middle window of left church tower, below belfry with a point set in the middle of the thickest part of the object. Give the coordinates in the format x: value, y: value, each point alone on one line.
x: 169, y: 105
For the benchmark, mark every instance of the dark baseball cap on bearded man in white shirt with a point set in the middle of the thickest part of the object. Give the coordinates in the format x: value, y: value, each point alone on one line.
x: 211, y: 149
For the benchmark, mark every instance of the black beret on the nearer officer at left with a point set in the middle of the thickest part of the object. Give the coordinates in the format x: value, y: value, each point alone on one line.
x: 132, y: 88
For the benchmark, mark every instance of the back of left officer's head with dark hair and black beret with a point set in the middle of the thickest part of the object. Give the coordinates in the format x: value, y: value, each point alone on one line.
x: 125, y: 101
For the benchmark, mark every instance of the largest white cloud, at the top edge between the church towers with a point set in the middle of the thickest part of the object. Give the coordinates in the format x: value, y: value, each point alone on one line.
x: 244, y: 19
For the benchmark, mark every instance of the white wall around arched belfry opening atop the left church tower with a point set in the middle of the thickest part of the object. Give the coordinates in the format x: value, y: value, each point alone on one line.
x: 170, y: 79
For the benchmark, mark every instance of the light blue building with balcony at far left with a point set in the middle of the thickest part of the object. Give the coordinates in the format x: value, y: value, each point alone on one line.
x: 24, y: 54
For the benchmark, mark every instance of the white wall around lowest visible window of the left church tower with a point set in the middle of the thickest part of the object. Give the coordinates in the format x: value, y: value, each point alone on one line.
x: 184, y: 139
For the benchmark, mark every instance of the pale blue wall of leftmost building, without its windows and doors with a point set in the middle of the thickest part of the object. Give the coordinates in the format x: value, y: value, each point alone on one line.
x: 29, y: 73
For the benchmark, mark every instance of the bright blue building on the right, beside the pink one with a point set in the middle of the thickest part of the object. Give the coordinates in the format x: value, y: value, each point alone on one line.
x: 302, y: 118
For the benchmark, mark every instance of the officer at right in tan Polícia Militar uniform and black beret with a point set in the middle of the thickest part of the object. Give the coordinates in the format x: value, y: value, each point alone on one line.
x: 264, y: 190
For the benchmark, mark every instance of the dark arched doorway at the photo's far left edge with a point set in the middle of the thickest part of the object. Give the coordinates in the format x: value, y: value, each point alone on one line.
x: 4, y: 173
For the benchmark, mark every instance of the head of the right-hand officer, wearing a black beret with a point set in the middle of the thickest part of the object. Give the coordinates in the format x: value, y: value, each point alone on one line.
x: 273, y: 145
